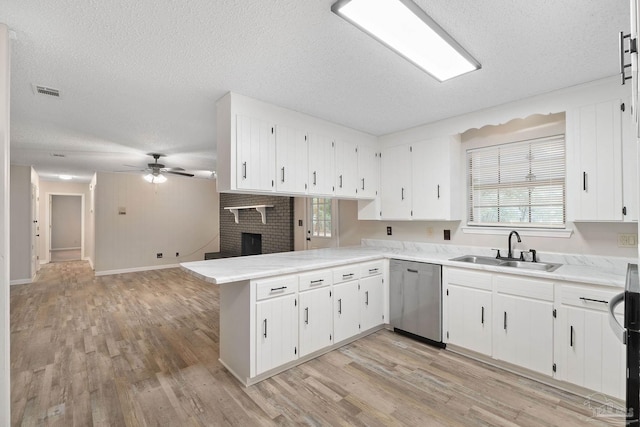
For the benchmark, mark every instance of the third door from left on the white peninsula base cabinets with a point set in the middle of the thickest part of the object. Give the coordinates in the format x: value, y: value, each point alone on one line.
x: 346, y: 311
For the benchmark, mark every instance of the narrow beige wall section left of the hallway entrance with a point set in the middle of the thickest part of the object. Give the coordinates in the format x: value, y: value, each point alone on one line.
x: 20, y: 185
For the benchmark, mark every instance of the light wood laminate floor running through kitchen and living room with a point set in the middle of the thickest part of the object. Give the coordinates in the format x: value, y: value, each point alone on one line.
x: 141, y: 349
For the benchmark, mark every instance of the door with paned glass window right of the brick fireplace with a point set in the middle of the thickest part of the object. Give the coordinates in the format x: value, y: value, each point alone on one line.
x: 322, y: 223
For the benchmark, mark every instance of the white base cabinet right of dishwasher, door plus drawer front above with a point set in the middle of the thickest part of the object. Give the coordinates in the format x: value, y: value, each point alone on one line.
x: 469, y: 304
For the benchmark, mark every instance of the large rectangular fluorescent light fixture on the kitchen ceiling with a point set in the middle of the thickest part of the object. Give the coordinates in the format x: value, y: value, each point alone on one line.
x: 405, y: 28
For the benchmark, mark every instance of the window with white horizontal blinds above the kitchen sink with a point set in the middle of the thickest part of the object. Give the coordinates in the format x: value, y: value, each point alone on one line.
x: 518, y: 184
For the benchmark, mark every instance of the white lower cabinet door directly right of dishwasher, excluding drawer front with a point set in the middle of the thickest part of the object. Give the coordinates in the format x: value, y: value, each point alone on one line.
x: 469, y: 317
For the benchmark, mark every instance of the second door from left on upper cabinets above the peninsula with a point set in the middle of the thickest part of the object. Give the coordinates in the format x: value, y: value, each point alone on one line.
x: 291, y: 160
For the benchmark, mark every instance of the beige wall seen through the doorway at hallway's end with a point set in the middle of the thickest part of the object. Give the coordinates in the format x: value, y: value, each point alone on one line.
x: 66, y: 222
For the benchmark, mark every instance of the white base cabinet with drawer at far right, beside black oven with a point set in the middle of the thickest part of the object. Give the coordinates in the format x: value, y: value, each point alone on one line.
x: 589, y: 354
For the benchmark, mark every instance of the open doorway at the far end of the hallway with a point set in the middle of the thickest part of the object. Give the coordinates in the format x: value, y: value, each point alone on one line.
x: 65, y: 227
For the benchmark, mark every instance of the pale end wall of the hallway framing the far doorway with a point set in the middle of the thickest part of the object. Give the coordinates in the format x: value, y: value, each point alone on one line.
x: 48, y: 188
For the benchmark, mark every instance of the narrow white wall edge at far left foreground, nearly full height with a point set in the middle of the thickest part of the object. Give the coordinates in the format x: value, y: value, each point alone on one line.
x: 5, y: 72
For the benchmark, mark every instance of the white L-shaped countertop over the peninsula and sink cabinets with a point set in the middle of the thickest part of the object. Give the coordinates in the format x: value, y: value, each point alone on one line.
x: 229, y: 270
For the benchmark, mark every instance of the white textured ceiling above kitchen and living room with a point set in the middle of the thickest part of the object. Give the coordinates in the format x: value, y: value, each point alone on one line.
x: 143, y: 76
